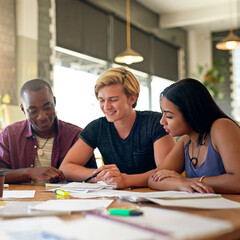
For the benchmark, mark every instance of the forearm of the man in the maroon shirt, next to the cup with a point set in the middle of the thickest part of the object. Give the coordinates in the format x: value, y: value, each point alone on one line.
x: 17, y: 175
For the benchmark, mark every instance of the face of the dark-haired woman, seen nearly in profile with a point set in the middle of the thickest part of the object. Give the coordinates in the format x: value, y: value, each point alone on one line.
x: 173, y: 120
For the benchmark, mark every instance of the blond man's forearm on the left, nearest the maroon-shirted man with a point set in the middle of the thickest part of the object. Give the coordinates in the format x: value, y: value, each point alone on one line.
x: 75, y: 172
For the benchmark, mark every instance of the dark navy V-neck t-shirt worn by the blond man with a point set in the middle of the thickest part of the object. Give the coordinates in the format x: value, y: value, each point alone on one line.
x: 132, y: 155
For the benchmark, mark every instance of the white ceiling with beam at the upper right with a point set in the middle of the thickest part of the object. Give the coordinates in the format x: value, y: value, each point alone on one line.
x: 202, y: 15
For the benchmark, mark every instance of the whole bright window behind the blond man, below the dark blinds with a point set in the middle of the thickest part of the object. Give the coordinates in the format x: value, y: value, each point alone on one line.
x: 75, y: 75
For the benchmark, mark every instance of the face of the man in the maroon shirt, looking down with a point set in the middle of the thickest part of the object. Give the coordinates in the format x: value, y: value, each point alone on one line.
x: 39, y: 107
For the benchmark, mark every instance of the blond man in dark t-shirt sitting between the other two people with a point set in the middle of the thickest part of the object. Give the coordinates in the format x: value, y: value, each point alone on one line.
x: 132, y: 143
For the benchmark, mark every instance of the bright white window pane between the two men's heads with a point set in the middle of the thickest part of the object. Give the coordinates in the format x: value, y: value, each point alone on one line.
x: 74, y: 91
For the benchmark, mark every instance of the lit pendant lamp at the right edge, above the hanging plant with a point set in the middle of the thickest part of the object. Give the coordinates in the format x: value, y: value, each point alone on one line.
x: 231, y: 41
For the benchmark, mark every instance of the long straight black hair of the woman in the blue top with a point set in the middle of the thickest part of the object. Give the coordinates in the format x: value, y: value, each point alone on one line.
x: 196, y: 104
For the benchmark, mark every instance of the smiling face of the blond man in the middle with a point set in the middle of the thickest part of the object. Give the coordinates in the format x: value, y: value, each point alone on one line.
x: 114, y: 103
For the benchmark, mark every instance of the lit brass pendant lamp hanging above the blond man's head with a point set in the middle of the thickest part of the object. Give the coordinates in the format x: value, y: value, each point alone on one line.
x: 128, y: 56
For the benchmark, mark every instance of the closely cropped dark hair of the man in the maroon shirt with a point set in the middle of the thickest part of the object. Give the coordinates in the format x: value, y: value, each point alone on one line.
x: 34, y: 85
